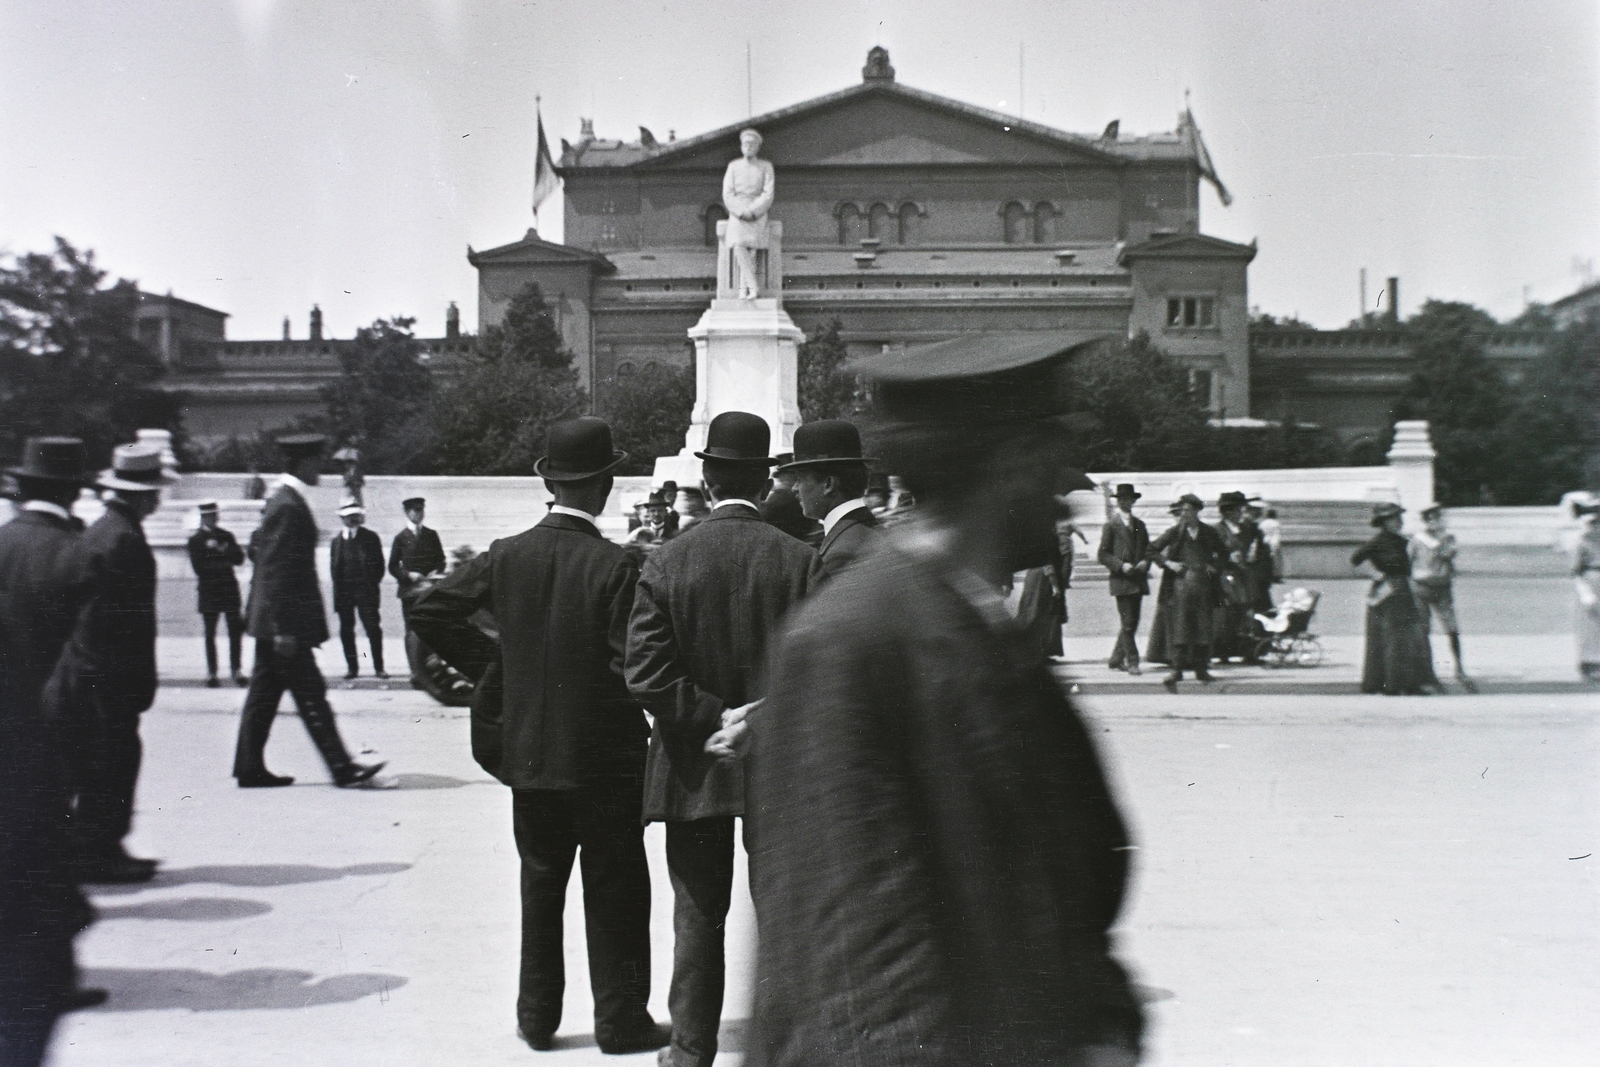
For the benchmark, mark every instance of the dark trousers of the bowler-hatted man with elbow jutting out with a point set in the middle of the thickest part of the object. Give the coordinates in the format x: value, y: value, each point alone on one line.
x: 601, y: 826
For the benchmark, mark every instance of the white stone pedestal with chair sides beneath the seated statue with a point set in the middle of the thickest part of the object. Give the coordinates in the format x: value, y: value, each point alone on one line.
x: 745, y: 359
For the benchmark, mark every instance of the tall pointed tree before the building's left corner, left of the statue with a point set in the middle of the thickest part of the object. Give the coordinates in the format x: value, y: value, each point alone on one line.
x: 513, y: 385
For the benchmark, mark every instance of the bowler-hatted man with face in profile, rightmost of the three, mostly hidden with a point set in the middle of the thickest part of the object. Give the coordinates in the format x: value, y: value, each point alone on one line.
x: 831, y: 481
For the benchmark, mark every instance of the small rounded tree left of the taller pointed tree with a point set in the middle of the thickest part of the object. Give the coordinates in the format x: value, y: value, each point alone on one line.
x: 380, y: 404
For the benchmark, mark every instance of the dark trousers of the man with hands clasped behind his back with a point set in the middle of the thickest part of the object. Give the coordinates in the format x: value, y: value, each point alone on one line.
x: 700, y: 863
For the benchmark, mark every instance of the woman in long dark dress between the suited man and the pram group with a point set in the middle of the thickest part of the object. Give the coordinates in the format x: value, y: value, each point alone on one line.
x: 1191, y: 556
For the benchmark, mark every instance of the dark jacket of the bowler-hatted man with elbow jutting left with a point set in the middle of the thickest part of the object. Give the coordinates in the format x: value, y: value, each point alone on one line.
x: 561, y: 596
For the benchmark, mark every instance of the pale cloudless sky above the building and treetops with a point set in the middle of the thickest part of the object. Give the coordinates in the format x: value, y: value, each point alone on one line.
x: 262, y: 156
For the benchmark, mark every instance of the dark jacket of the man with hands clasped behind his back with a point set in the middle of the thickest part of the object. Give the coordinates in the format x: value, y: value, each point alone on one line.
x: 706, y: 605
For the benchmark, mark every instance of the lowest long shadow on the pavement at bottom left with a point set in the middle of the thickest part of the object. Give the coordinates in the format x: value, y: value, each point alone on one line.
x: 260, y: 989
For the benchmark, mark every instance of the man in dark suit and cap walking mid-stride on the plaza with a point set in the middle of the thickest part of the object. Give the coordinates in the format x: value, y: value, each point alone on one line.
x: 289, y: 625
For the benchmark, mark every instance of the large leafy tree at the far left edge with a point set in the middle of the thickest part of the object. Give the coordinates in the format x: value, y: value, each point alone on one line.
x: 70, y: 358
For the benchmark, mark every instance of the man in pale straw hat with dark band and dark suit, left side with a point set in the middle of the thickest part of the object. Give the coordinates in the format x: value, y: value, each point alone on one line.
x: 106, y: 676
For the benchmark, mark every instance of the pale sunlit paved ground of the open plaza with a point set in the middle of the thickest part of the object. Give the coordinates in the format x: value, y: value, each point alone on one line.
x: 1322, y: 879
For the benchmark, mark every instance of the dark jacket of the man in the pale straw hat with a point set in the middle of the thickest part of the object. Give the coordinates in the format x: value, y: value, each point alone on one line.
x: 113, y: 647
